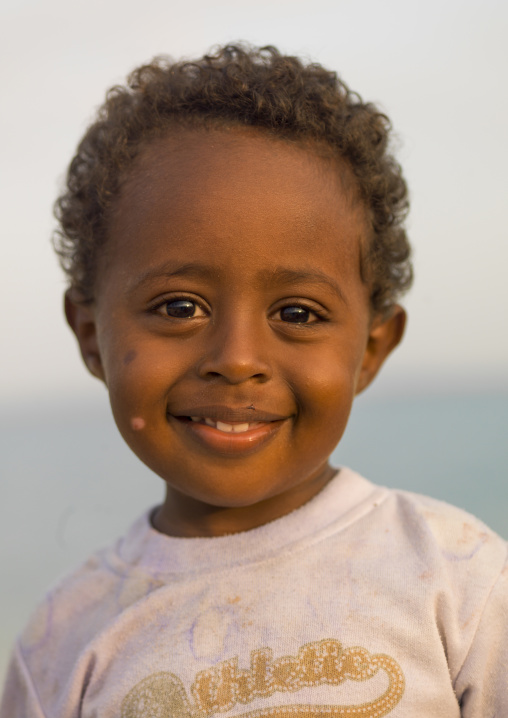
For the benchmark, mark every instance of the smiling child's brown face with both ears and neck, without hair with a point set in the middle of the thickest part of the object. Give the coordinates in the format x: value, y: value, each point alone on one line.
x: 231, y: 324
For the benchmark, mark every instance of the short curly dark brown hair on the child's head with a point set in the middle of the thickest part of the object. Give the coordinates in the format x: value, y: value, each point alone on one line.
x: 237, y: 85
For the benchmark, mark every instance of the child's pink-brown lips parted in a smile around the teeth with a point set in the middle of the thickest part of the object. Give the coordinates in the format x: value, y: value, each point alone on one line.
x: 265, y: 427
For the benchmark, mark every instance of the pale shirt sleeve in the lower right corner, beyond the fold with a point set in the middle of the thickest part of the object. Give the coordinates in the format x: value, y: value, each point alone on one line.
x: 482, y: 683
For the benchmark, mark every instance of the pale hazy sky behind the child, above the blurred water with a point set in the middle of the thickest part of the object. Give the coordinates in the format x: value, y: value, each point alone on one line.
x: 436, y: 68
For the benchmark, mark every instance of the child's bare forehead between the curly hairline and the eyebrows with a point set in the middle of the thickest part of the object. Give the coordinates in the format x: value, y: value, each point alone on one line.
x: 217, y: 191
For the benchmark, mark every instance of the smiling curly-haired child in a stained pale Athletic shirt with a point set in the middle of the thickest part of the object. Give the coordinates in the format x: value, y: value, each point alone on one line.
x: 232, y: 233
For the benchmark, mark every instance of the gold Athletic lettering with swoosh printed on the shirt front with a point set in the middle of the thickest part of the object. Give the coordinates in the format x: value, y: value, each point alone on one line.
x: 221, y: 688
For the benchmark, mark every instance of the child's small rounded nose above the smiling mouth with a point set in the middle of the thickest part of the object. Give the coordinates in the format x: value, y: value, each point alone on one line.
x: 237, y: 352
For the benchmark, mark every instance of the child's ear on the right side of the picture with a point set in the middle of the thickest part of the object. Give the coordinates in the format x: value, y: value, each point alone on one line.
x: 384, y: 335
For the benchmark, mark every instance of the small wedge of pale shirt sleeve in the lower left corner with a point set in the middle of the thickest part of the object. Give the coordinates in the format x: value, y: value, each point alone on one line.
x: 20, y: 698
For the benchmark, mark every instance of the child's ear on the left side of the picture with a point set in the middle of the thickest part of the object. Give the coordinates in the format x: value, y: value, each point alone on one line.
x: 80, y: 316
